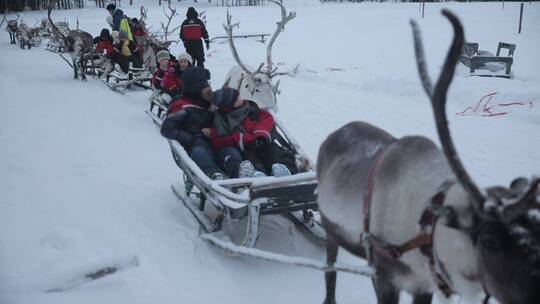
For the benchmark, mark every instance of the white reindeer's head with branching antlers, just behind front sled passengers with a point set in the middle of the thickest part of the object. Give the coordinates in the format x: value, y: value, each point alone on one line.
x: 257, y: 85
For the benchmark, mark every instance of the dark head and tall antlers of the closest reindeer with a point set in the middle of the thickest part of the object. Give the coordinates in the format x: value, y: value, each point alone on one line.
x: 504, y: 229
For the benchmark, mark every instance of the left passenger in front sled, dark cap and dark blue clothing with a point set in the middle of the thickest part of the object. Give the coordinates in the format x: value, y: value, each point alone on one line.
x: 188, y: 115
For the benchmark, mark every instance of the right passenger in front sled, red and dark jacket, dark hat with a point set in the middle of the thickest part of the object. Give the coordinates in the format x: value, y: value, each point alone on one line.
x: 242, y: 125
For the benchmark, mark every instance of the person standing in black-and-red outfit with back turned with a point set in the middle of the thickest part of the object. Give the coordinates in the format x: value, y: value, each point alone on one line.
x: 192, y: 32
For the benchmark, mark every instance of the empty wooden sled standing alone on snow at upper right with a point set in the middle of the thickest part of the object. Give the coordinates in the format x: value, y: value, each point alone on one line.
x: 485, y: 64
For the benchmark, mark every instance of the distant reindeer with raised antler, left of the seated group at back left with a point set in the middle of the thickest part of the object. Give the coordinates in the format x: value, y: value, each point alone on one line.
x: 78, y: 43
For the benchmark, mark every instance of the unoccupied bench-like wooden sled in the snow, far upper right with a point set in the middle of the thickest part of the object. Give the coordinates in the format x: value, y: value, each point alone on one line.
x: 473, y: 60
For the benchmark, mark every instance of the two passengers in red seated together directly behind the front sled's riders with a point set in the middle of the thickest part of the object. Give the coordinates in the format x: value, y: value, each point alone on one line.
x: 168, y: 77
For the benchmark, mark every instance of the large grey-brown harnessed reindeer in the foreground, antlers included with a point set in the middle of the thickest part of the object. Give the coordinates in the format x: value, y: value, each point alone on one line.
x: 414, y: 213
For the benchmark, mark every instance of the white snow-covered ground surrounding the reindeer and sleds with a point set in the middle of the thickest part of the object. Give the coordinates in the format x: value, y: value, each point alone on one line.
x: 85, y: 176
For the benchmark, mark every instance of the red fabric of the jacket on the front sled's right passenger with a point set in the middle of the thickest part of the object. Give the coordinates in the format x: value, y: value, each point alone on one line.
x: 253, y: 128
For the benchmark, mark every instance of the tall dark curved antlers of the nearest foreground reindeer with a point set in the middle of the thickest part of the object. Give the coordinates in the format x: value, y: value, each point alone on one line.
x: 438, y: 101
